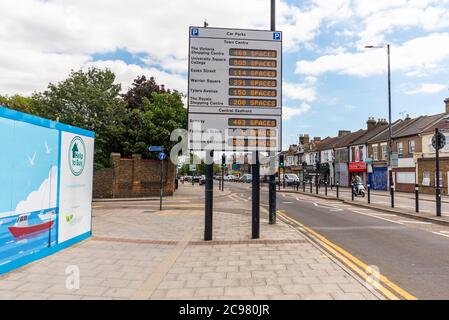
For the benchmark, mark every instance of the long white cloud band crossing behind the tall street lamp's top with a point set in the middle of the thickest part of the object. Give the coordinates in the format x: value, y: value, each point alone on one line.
x: 424, y: 52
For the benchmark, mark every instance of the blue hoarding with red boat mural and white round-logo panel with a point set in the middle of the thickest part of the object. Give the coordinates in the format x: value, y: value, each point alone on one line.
x: 37, y: 191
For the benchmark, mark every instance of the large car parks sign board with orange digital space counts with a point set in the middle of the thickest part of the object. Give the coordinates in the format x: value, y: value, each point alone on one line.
x: 235, y: 89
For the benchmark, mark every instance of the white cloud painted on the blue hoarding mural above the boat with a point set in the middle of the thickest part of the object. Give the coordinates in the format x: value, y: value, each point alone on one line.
x: 43, y: 198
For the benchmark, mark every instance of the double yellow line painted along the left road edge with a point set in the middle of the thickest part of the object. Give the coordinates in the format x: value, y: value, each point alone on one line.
x: 389, y: 289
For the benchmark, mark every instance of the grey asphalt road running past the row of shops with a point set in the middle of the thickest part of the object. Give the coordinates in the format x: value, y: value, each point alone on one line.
x: 411, y: 253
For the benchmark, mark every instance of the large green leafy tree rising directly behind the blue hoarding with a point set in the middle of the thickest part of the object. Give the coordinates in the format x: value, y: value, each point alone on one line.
x: 90, y: 100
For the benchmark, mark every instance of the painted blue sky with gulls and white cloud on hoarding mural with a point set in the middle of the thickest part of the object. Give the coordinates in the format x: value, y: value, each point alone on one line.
x: 32, y: 153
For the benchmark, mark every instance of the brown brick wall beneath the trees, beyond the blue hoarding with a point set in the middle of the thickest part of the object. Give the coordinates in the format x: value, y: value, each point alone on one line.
x: 133, y: 178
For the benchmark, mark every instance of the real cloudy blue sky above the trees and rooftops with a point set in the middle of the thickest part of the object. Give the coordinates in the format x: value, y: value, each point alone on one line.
x: 330, y: 81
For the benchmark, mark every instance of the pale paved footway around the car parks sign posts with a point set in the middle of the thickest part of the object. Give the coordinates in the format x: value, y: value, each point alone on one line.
x: 139, y: 252
